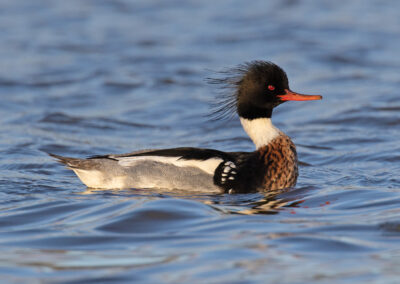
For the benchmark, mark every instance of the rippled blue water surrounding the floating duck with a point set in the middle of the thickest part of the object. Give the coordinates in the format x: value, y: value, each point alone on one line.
x: 93, y: 77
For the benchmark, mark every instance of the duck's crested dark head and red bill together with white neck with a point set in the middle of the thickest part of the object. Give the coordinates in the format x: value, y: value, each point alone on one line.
x: 258, y: 87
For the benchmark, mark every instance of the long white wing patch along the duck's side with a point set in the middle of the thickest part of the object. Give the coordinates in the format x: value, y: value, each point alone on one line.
x: 207, y: 166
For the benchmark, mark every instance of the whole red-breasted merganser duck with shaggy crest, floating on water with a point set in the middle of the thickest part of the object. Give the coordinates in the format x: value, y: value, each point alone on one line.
x: 259, y: 87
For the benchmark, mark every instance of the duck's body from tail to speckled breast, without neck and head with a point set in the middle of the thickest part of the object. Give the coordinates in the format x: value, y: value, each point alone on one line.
x: 272, y: 166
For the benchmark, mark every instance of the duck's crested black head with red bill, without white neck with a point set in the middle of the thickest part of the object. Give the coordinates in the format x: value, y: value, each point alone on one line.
x: 260, y: 86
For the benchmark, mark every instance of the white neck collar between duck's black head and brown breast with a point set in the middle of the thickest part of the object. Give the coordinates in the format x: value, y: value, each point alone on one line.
x: 260, y: 130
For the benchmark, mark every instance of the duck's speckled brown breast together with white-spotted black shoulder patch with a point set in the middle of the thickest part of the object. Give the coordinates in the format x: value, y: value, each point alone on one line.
x: 271, y: 167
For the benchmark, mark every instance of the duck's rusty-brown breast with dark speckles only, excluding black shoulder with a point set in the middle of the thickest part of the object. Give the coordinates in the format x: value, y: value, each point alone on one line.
x: 280, y: 164
